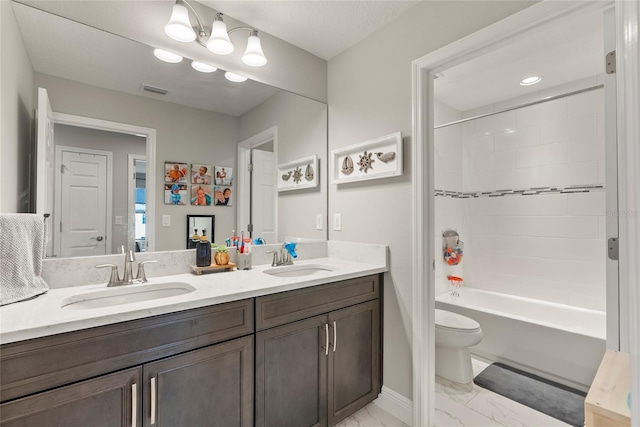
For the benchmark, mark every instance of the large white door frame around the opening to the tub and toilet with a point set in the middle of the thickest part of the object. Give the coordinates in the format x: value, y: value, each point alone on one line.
x: 424, y: 70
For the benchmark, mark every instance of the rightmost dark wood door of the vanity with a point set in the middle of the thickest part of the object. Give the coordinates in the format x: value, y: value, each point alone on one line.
x: 354, y: 359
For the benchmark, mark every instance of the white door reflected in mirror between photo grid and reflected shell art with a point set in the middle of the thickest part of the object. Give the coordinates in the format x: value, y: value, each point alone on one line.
x: 264, y: 196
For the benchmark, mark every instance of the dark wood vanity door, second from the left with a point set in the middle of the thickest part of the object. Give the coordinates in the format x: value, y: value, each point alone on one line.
x: 212, y: 386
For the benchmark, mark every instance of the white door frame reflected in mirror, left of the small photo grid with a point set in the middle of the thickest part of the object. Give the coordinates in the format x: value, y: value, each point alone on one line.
x: 150, y: 134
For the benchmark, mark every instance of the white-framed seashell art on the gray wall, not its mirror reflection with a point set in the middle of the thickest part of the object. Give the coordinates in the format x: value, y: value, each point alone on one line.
x: 373, y: 159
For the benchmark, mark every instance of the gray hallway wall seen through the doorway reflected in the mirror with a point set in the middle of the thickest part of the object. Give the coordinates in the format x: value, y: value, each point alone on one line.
x: 121, y: 145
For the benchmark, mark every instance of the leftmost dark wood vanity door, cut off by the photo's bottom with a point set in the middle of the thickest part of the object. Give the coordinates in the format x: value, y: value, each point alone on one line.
x: 107, y: 401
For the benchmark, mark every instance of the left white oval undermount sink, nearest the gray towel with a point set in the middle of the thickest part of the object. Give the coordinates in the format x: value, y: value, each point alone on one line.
x: 126, y: 294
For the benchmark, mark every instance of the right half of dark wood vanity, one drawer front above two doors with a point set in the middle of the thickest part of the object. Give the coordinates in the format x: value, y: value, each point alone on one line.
x: 317, y: 370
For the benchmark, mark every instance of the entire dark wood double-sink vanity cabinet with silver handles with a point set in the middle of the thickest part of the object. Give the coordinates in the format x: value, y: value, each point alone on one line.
x: 316, y: 360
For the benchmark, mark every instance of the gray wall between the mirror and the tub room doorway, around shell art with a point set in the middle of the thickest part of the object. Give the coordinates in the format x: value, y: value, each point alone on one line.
x: 370, y: 96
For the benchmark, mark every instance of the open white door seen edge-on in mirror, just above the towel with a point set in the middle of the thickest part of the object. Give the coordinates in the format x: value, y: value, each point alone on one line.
x: 44, y: 161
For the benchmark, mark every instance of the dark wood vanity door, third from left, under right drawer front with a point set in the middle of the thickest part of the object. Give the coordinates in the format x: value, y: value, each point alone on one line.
x: 291, y: 382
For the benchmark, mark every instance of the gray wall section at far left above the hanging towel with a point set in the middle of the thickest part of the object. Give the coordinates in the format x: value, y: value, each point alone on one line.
x: 16, y: 115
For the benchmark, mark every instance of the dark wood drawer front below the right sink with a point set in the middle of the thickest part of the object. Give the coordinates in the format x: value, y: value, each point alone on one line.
x: 286, y: 307
